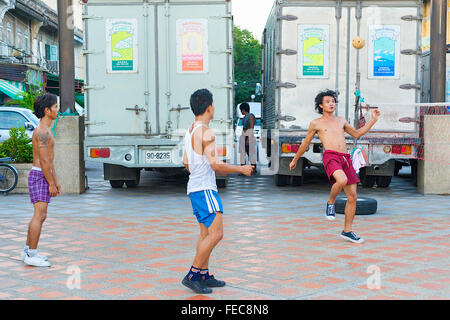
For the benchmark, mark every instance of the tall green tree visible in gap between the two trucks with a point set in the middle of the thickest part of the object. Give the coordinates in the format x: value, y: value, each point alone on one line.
x: 247, y: 65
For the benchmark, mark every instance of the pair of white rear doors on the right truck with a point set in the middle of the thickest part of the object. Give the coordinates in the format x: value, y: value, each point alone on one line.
x: 326, y: 59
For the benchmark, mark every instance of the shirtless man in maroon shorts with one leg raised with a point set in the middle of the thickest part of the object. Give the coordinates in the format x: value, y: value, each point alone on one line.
x: 336, y: 160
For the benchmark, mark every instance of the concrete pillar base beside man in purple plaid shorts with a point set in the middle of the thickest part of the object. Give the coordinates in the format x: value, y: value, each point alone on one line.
x: 69, y: 154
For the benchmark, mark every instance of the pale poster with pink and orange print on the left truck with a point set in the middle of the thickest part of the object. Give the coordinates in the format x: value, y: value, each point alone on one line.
x: 192, y: 46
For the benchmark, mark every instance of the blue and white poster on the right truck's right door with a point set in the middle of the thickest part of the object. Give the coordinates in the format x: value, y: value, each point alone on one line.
x: 384, y: 51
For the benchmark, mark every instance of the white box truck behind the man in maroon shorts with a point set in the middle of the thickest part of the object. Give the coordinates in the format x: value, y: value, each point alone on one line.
x: 308, y: 47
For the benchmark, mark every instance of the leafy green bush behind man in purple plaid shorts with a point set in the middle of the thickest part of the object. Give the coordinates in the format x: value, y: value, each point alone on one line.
x: 18, y: 146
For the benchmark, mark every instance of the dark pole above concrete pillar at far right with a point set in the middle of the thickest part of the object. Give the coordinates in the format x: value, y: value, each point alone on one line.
x: 438, y: 50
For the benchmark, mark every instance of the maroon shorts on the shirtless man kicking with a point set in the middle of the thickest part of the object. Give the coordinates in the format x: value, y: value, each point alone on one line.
x: 333, y: 160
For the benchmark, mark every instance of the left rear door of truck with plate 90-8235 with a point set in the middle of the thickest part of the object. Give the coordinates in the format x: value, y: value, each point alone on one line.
x: 120, y: 47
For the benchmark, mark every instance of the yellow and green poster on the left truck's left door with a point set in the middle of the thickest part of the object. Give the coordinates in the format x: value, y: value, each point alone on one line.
x: 121, y: 44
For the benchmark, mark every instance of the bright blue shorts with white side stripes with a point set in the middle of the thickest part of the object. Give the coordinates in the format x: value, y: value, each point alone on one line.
x: 205, y: 205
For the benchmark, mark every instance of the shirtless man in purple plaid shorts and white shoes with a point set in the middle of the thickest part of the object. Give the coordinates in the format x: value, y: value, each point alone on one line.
x: 42, y: 181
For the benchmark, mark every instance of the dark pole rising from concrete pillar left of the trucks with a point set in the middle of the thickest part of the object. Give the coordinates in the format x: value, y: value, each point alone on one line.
x: 66, y: 56
